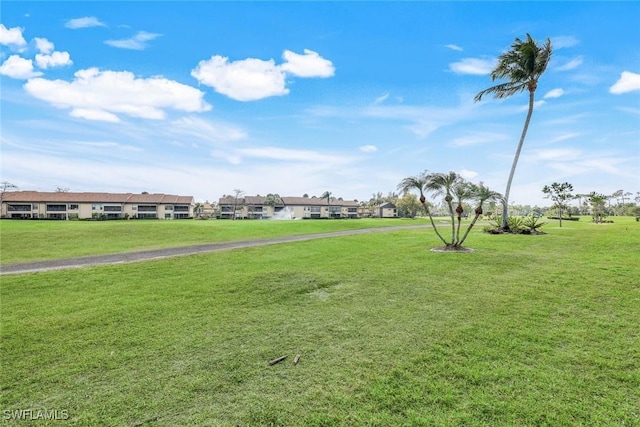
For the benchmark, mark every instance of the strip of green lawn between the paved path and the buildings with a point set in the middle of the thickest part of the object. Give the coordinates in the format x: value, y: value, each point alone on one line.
x: 23, y: 241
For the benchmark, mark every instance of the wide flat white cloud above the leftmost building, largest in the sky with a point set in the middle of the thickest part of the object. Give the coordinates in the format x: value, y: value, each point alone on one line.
x: 103, y: 95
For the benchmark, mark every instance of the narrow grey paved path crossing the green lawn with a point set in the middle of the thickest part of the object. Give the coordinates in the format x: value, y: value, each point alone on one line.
x: 126, y: 257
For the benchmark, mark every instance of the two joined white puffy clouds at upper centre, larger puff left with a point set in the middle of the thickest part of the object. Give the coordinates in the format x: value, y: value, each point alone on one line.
x: 252, y: 79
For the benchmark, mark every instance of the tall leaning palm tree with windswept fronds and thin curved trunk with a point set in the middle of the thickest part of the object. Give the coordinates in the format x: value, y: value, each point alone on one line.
x: 522, y: 66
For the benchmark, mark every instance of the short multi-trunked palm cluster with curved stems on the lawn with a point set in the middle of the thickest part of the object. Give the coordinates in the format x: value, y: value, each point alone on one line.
x: 455, y: 191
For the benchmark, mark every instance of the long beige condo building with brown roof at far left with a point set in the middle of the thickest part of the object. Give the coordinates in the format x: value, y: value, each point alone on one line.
x: 67, y: 205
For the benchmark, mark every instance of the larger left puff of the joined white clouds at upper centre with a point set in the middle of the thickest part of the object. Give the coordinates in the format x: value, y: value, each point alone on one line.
x: 245, y: 80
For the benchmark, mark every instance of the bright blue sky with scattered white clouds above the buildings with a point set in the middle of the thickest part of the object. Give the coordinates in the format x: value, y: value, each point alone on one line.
x: 201, y: 98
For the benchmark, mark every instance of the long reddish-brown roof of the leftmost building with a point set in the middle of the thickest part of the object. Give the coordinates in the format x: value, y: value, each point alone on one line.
x: 68, y: 197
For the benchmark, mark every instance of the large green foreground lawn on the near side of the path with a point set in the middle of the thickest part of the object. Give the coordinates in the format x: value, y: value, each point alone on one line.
x: 526, y: 330
